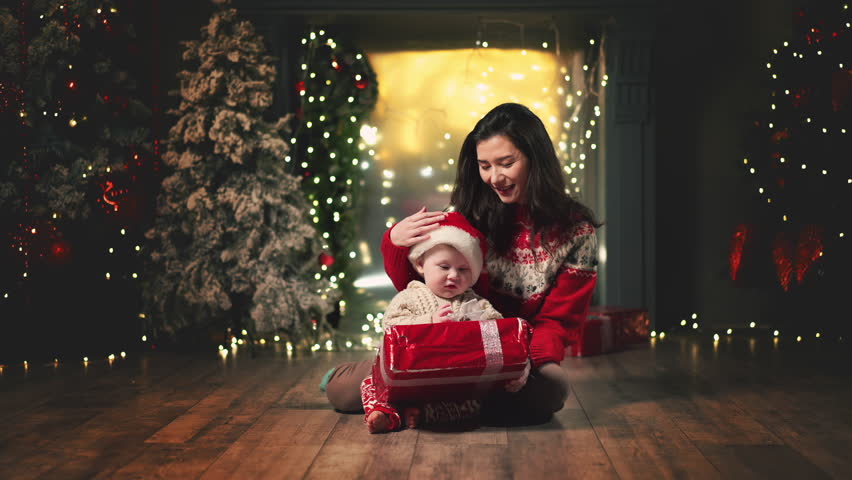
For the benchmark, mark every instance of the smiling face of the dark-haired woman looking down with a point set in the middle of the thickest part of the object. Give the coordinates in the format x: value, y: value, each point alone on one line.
x: 504, y: 168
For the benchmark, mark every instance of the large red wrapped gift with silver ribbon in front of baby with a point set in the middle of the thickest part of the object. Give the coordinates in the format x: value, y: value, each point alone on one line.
x: 450, y: 360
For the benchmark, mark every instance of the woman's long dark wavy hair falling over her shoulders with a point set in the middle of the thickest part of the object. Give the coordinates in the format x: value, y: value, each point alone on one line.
x: 550, y: 207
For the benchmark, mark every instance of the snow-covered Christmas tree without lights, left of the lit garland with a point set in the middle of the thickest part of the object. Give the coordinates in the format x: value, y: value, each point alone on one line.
x: 233, y: 246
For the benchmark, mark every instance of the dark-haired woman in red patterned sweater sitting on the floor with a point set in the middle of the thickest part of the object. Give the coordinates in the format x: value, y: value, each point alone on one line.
x: 542, y: 255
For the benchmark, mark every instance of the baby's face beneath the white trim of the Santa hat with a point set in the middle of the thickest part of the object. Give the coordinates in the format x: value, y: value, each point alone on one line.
x: 445, y: 271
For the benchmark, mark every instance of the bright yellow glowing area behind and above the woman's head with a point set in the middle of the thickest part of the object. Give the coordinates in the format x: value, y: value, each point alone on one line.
x: 425, y: 95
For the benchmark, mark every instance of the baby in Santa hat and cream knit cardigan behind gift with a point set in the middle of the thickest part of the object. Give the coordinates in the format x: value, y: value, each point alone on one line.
x: 450, y: 262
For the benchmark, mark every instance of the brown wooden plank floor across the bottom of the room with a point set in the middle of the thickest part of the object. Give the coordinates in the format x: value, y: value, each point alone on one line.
x: 678, y: 408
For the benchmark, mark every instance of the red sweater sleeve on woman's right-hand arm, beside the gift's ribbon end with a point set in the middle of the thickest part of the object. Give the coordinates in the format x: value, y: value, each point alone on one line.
x: 567, y: 302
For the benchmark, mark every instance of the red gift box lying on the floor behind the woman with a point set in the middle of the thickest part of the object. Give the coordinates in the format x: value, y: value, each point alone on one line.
x: 609, y: 328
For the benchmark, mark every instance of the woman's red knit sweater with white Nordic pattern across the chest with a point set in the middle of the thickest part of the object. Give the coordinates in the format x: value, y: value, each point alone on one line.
x: 552, y: 291
